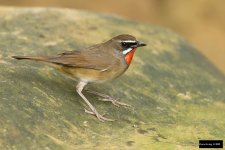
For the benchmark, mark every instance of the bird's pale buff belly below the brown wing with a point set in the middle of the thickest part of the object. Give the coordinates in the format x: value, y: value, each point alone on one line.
x: 92, y: 75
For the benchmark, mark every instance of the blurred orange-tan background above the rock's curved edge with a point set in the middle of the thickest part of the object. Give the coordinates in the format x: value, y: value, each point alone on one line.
x: 201, y: 22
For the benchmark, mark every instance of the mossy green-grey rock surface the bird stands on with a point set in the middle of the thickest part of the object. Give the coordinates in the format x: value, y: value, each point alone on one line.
x: 177, y: 94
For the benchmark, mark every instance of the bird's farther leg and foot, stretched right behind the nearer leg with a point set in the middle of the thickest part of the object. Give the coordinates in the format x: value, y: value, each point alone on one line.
x: 108, y: 98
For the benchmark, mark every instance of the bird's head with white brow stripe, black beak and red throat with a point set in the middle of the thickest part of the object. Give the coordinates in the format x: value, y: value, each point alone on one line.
x: 127, y: 45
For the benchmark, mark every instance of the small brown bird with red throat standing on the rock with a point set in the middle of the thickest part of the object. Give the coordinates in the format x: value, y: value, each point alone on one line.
x: 97, y: 63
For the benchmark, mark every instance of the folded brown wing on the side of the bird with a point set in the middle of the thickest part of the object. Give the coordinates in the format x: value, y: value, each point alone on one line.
x: 94, y: 57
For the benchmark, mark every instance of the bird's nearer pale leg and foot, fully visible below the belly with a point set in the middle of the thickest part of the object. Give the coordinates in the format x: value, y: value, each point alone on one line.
x: 93, y: 111
